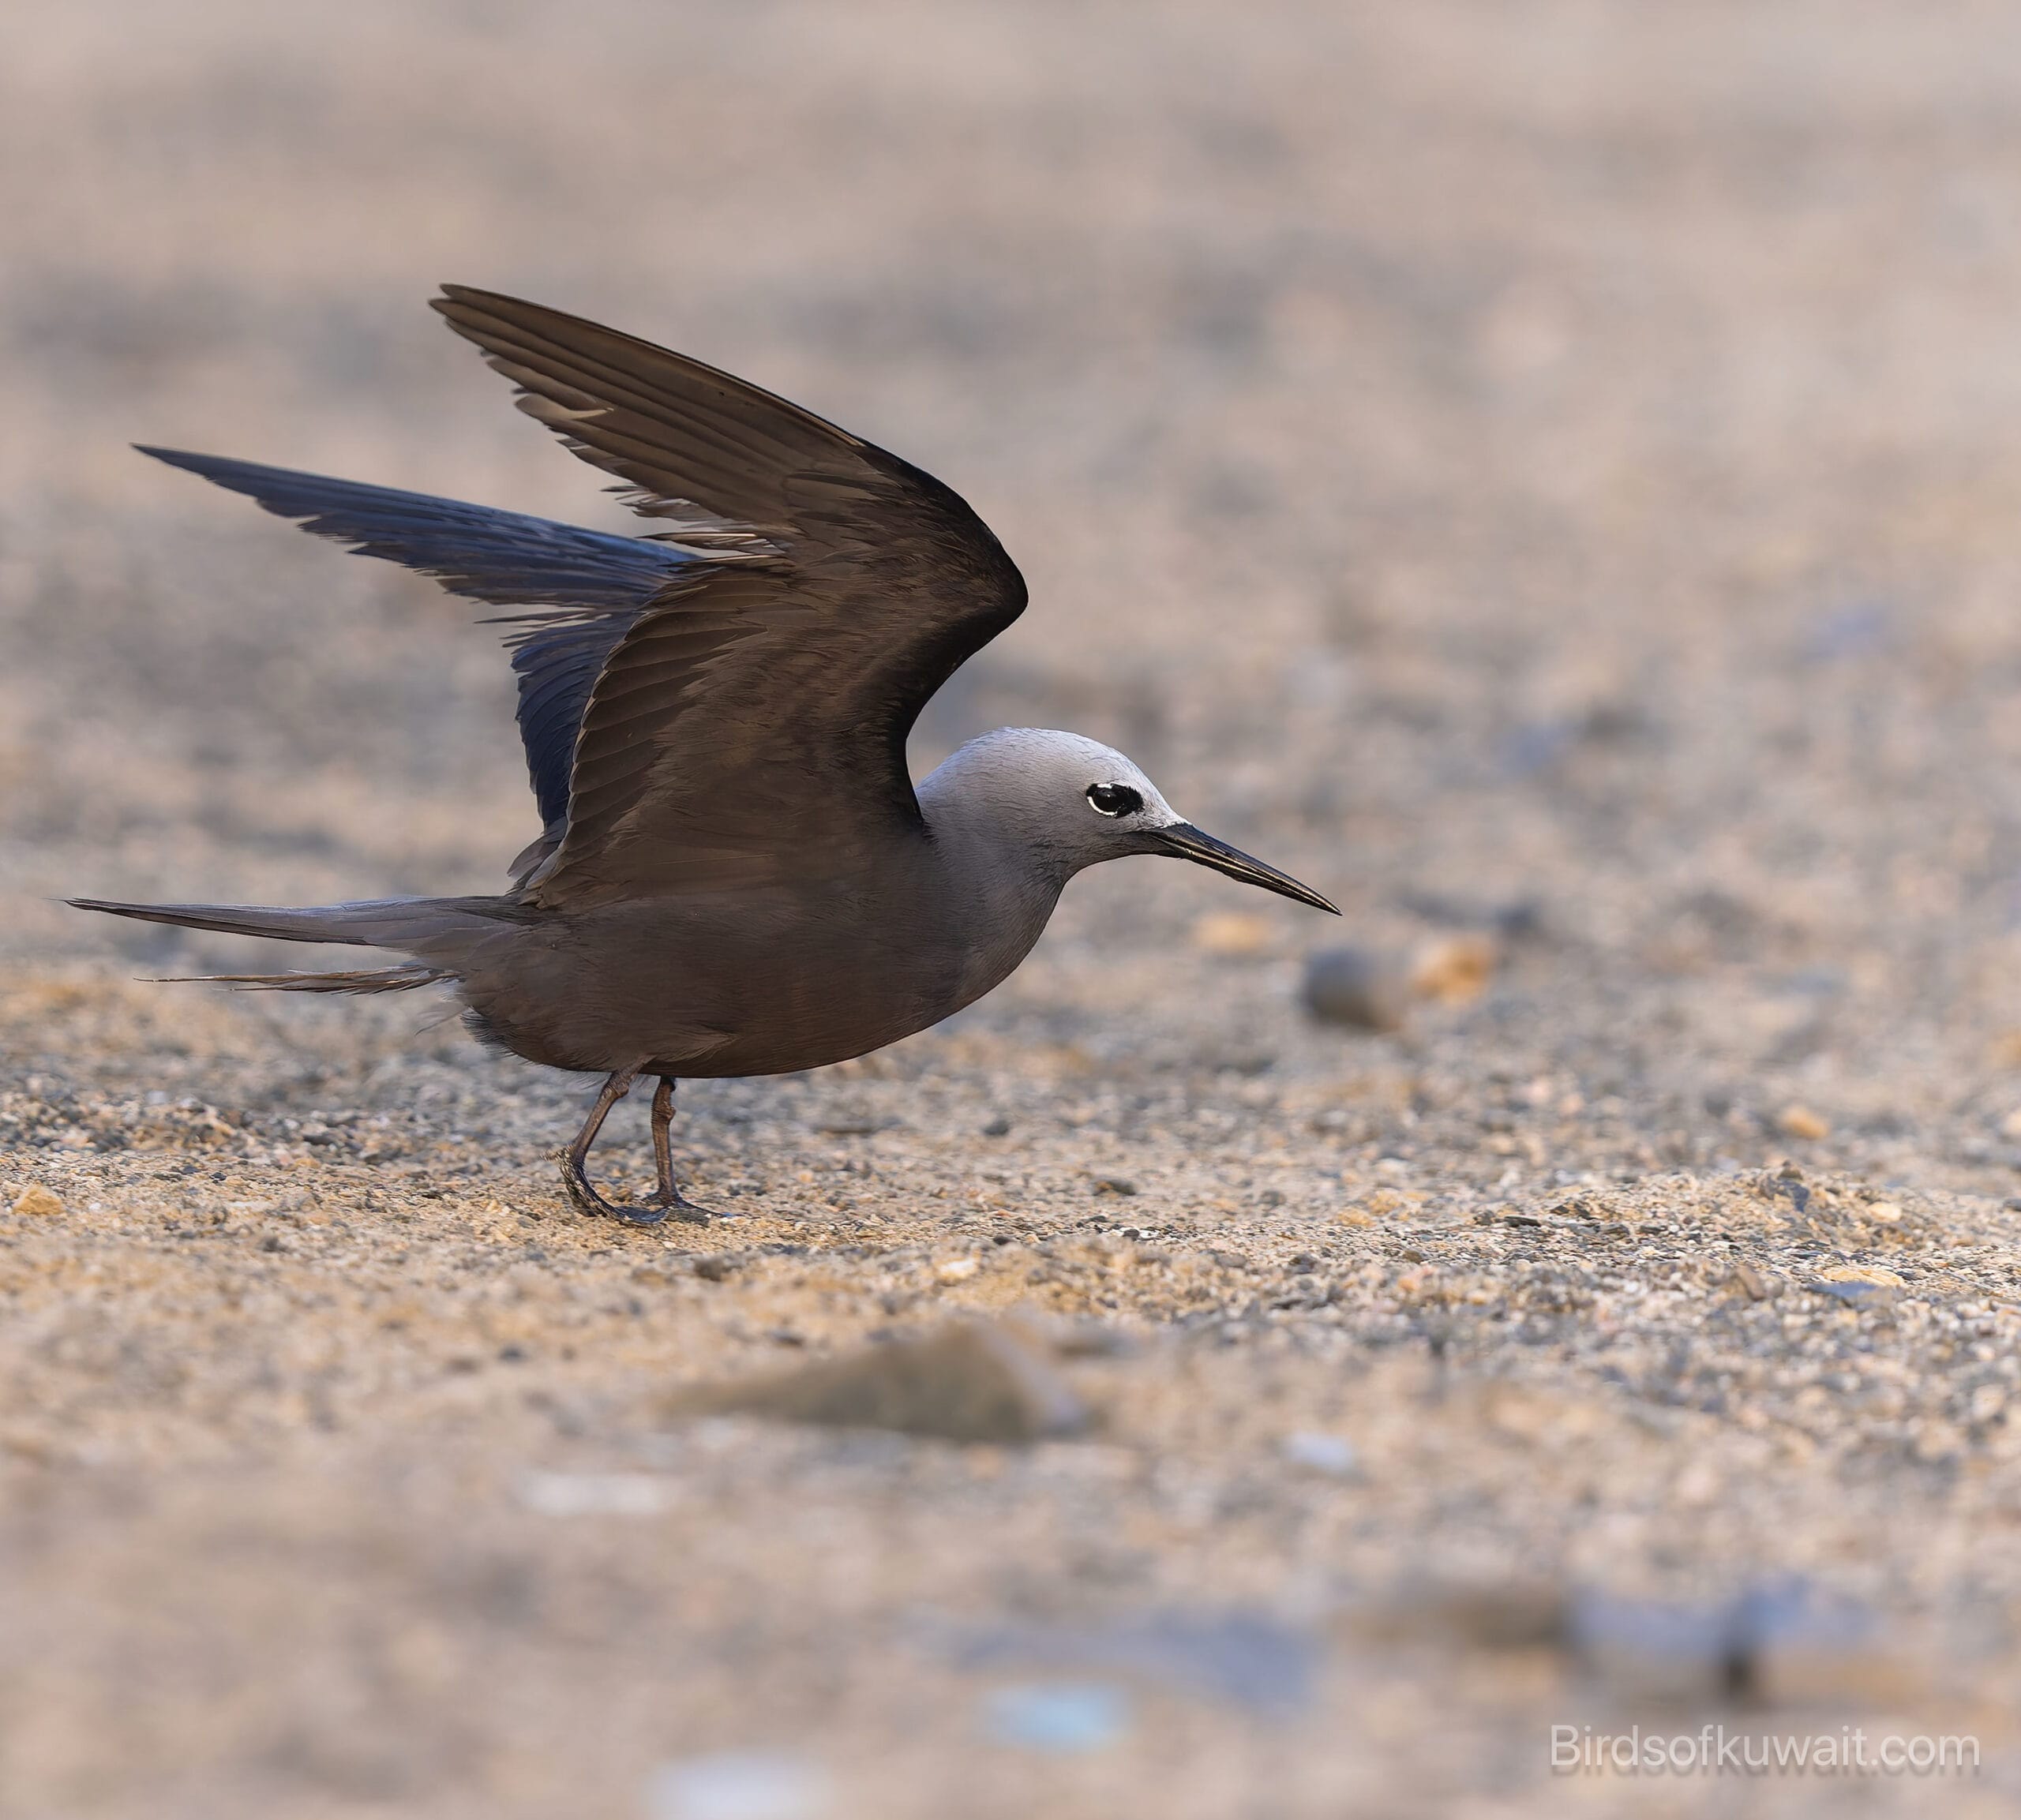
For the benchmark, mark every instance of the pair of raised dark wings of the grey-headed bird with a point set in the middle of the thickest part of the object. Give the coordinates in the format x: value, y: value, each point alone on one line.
x: 727, y: 698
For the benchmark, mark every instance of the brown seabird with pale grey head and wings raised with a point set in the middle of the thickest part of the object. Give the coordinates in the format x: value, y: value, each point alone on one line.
x: 737, y: 872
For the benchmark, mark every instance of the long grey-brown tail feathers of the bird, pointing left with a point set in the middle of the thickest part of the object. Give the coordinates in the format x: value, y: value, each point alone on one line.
x: 436, y: 930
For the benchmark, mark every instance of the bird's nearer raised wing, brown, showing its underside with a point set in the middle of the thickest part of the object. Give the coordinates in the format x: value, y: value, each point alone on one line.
x: 751, y: 724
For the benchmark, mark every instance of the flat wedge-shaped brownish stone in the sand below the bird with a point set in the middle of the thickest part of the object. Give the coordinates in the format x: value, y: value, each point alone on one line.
x: 967, y: 1383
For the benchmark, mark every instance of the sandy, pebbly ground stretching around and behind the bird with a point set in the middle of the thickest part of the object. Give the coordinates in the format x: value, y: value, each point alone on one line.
x: 1545, y: 474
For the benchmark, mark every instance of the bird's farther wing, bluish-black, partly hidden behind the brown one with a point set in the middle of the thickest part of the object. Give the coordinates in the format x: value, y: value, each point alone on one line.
x: 579, y: 589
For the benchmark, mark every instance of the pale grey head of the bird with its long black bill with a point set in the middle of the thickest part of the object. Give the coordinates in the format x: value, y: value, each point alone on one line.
x: 1078, y: 803
